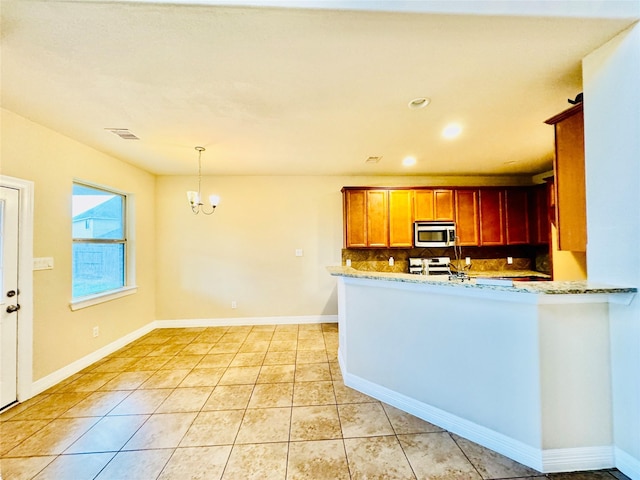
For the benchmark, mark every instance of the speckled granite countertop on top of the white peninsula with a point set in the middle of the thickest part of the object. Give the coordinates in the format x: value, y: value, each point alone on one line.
x: 535, y: 287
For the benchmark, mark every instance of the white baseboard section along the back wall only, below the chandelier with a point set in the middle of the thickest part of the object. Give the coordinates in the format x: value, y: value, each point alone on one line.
x: 242, y: 321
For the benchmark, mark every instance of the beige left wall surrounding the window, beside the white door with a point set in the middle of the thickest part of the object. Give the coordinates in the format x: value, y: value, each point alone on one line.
x: 32, y: 152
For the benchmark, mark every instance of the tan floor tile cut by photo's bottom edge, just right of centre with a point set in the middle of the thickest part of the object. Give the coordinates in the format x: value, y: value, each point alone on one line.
x: 377, y: 458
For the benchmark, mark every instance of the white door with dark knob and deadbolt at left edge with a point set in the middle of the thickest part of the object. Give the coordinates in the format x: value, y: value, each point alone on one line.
x: 8, y: 295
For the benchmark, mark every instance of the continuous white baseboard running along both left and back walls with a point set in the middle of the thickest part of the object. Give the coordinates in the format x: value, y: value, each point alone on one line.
x: 56, y: 377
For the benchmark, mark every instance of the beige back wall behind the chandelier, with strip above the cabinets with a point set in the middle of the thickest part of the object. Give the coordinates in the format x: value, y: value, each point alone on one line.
x: 245, y: 252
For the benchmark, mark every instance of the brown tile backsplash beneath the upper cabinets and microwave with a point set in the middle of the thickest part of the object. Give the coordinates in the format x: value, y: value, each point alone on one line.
x: 482, y: 258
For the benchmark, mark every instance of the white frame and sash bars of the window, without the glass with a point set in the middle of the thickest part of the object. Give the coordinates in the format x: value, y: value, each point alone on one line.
x: 128, y: 241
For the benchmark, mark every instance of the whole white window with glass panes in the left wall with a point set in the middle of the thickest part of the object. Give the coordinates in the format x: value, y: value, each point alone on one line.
x: 101, y: 247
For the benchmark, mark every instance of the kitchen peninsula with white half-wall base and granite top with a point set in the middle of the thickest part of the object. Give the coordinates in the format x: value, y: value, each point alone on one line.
x: 523, y: 370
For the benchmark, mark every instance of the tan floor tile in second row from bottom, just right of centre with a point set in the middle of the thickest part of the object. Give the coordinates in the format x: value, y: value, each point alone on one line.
x: 364, y: 420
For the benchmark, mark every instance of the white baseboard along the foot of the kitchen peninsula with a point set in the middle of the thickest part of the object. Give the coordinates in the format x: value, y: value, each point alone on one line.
x: 546, y: 461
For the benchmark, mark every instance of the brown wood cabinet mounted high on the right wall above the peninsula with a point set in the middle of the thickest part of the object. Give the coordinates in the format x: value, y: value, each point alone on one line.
x: 568, y: 166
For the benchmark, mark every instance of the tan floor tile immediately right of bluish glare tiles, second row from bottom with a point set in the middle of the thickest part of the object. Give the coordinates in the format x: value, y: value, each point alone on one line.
x: 213, y: 428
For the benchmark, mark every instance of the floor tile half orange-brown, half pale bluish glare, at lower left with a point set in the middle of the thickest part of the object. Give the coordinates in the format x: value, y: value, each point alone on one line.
x: 54, y: 438
